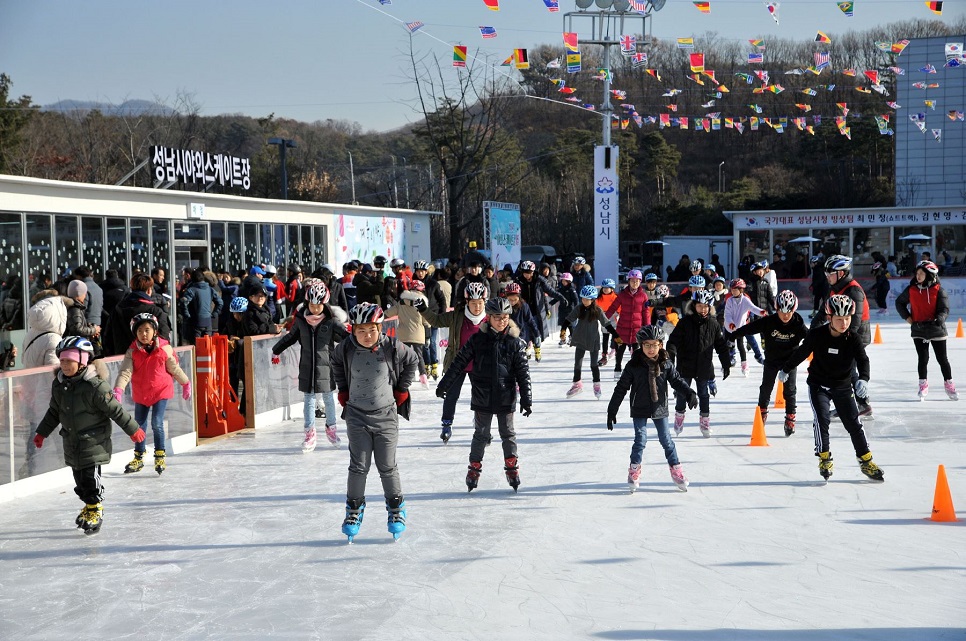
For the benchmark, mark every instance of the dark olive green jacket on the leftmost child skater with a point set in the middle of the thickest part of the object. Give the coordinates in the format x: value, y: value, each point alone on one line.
x: 84, y: 407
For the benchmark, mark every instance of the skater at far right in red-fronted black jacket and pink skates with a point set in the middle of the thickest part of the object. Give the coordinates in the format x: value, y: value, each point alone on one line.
x: 925, y: 306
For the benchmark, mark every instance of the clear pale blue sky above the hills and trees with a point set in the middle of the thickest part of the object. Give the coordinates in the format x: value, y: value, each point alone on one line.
x: 321, y: 59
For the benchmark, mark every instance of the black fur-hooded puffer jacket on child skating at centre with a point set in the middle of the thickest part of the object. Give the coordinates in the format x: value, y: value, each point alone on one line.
x: 499, y: 365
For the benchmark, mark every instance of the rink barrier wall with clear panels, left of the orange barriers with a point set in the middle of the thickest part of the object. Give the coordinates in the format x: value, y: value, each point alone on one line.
x: 25, y: 398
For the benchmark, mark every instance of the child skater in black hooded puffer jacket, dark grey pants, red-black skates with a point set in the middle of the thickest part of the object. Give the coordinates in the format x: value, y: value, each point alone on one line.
x: 499, y: 367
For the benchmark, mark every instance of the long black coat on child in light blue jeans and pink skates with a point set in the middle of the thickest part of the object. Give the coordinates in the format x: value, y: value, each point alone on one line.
x: 316, y: 345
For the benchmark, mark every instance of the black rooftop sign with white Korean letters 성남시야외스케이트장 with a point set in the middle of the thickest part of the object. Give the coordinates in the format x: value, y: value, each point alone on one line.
x: 200, y: 168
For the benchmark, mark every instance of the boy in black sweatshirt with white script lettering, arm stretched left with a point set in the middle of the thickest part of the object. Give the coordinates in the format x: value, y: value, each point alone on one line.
x: 781, y: 333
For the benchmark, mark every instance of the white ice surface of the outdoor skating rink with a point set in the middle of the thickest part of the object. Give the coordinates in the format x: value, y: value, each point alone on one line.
x: 240, y: 538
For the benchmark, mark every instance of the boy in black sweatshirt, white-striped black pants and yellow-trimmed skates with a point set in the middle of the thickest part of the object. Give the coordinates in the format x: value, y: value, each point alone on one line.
x: 835, y: 350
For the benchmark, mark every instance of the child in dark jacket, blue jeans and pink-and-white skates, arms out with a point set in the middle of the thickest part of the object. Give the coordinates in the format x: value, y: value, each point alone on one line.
x: 646, y: 377
